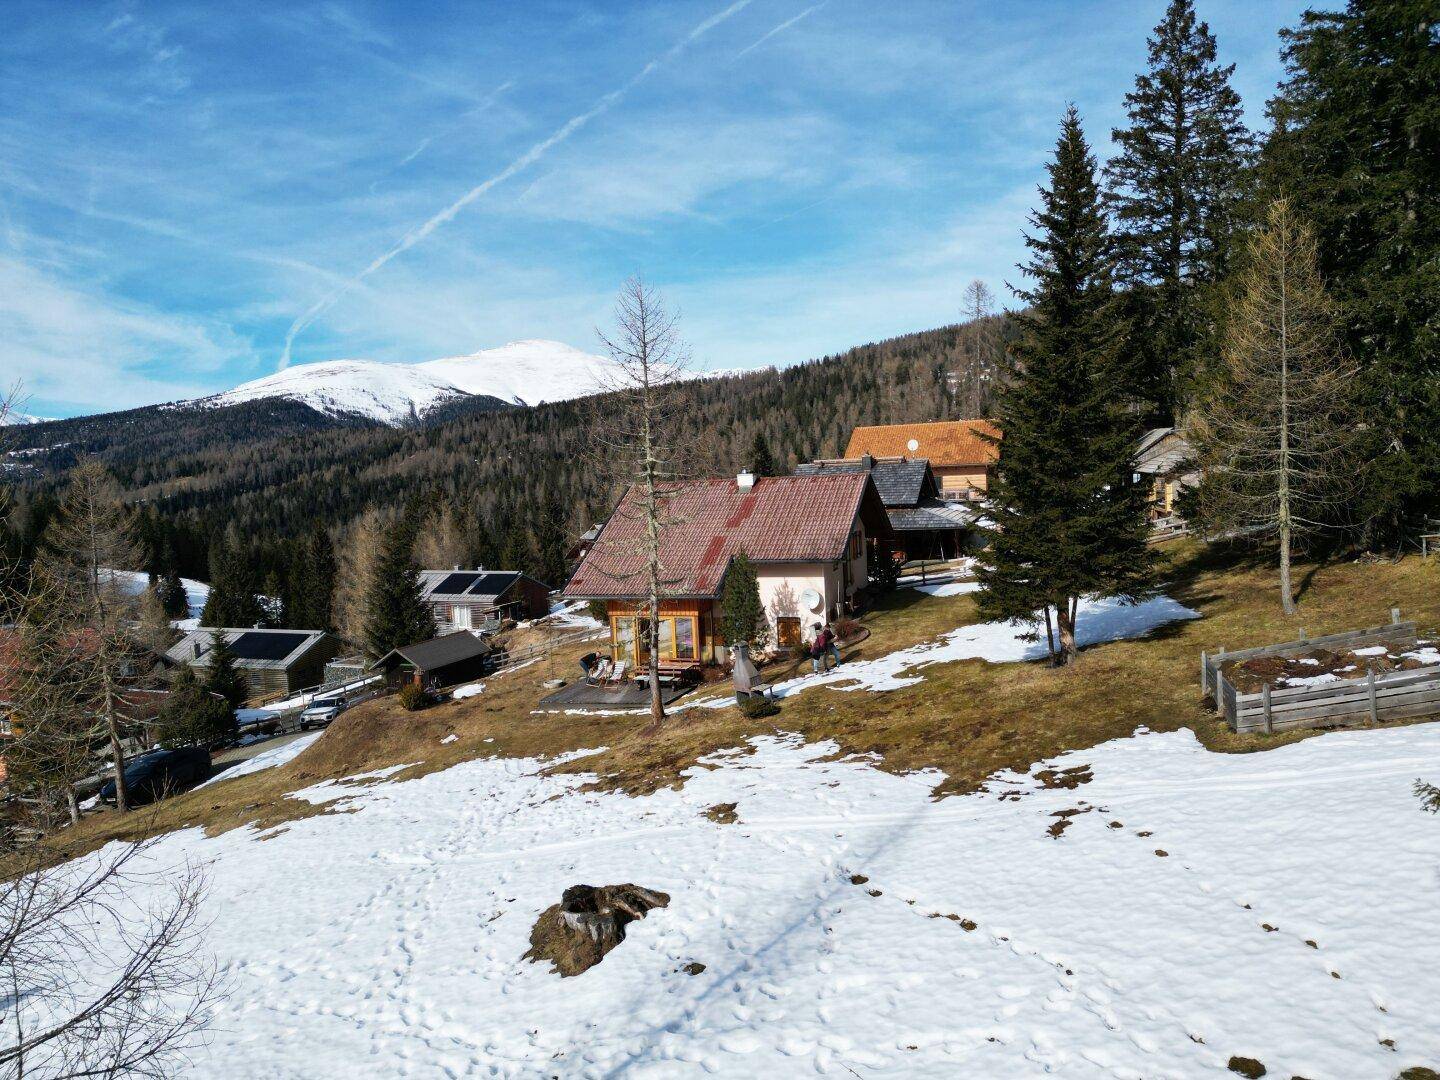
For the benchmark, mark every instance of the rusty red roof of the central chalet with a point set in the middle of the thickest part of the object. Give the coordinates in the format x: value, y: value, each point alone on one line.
x: 708, y: 523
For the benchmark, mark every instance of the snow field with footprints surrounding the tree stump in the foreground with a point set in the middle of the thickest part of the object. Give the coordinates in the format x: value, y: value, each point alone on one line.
x: 1278, y: 906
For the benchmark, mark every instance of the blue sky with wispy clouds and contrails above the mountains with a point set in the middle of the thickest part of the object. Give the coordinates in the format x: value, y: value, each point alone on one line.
x: 185, y: 188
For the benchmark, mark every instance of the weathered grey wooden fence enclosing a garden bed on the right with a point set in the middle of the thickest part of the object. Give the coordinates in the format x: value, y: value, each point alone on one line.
x: 1392, y: 696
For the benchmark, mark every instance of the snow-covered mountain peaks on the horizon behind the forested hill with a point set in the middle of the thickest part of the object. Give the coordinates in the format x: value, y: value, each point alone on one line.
x: 521, y: 374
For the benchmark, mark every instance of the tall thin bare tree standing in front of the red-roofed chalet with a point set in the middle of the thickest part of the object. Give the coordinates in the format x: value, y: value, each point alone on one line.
x: 637, y: 447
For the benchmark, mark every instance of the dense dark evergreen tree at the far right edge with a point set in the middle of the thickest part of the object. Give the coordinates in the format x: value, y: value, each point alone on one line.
x: 1357, y: 148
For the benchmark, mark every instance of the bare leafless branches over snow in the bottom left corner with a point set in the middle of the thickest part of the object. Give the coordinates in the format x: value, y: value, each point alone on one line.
x: 103, y: 970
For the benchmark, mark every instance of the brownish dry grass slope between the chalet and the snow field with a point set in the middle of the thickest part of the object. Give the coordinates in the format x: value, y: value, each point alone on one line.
x: 967, y: 719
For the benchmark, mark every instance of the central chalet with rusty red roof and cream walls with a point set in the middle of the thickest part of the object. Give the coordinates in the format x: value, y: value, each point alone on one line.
x: 810, y: 539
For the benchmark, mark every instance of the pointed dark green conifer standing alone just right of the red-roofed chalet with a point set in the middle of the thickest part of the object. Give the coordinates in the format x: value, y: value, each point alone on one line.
x: 1069, y: 519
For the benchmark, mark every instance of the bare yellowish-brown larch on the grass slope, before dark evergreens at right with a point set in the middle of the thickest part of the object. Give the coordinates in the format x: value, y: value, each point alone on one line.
x: 1275, y: 427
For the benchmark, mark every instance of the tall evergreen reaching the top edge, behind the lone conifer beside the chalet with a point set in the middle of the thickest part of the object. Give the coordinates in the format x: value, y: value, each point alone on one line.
x: 1174, y: 189
